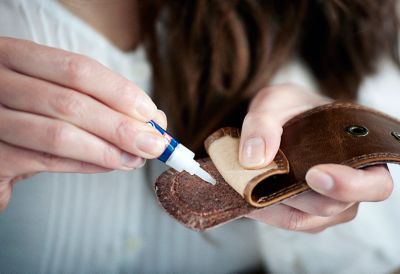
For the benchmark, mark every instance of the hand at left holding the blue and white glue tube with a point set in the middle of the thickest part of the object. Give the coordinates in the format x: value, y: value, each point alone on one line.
x: 64, y: 112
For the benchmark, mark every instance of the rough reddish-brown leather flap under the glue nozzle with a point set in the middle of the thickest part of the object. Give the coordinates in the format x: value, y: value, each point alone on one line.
x: 196, y: 204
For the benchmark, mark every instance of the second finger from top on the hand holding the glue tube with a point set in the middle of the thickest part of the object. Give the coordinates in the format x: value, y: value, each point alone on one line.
x: 36, y: 96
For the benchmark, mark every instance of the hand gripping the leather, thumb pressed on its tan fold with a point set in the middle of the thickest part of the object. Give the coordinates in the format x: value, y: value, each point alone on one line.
x: 337, y: 189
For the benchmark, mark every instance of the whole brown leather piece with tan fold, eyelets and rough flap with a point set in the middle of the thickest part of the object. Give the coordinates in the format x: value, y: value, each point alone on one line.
x: 341, y: 133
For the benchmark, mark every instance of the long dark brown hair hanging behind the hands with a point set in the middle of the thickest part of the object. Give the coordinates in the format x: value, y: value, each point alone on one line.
x: 209, y: 57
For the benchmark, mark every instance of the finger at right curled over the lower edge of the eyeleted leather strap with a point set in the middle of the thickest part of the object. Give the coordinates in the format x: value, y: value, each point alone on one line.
x: 351, y: 185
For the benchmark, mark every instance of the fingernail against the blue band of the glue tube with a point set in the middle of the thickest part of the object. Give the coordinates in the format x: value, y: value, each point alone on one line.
x: 150, y: 143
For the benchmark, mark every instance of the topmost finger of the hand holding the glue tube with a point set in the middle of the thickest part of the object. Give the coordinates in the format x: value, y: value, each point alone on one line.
x: 80, y: 73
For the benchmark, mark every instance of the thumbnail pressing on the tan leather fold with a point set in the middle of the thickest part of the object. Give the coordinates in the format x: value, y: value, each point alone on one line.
x: 253, y: 152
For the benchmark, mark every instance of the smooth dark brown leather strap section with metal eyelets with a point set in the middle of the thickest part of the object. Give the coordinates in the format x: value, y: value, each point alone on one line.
x: 319, y: 136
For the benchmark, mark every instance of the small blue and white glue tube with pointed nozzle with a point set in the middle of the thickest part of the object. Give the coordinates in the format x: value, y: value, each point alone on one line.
x: 180, y: 157
